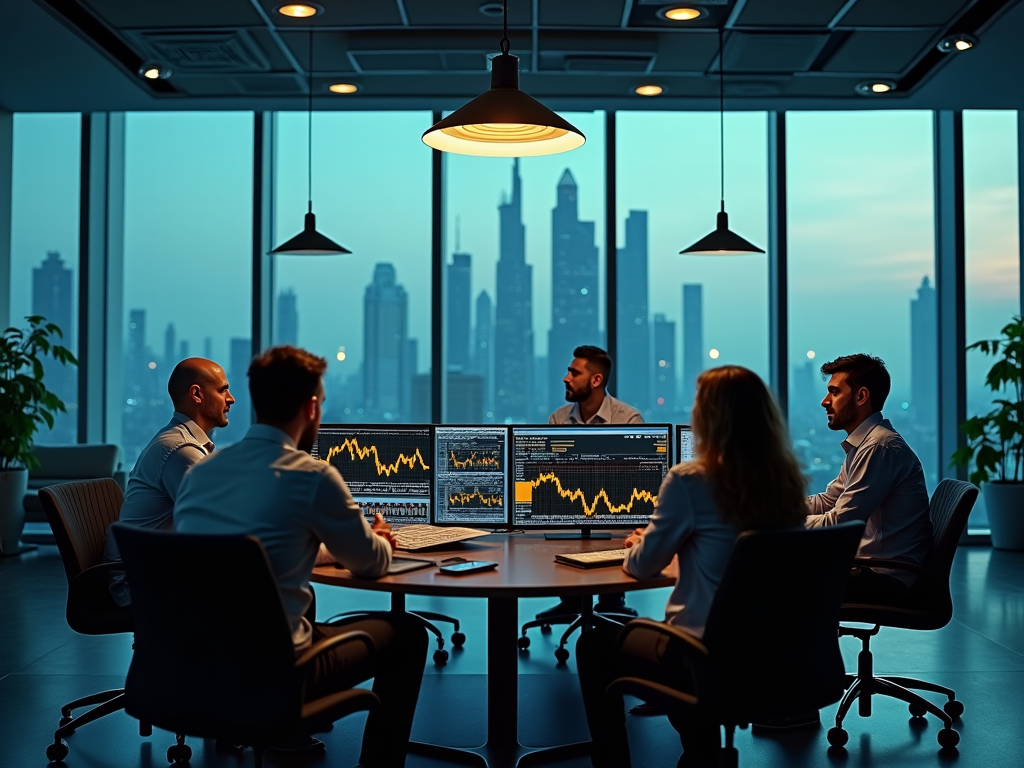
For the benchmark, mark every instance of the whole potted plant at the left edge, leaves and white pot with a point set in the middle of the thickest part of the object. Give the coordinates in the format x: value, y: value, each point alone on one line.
x: 25, y: 405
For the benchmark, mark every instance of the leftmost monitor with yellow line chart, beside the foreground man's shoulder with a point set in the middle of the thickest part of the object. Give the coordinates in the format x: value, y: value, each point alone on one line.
x: 390, y: 470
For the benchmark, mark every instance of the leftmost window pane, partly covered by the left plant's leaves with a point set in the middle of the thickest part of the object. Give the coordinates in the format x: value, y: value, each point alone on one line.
x: 45, y: 245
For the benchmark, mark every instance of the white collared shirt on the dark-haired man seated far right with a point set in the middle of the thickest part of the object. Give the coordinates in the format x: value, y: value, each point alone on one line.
x: 881, y: 483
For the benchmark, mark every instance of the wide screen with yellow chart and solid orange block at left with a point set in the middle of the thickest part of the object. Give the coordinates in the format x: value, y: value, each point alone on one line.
x: 588, y: 476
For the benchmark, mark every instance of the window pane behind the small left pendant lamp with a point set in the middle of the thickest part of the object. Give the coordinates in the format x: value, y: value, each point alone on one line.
x: 369, y: 313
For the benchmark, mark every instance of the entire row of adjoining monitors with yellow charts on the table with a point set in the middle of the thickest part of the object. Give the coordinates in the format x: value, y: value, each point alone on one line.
x: 500, y: 477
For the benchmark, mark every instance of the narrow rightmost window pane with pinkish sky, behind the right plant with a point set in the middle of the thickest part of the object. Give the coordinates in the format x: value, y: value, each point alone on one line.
x: 993, y: 247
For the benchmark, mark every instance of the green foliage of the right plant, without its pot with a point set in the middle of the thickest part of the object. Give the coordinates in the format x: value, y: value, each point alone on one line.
x: 996, y: 440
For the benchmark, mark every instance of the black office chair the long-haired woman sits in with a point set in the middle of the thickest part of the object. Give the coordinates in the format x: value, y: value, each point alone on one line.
x: 771, y: 648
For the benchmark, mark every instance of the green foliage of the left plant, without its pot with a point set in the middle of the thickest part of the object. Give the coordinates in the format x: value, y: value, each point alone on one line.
x: 25, y: 402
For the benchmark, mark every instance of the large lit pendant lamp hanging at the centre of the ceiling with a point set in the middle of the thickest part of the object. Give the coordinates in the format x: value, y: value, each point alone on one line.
x: 504, y: 122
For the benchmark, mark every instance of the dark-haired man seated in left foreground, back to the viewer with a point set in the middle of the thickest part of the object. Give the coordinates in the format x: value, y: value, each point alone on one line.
x: 268, y: 486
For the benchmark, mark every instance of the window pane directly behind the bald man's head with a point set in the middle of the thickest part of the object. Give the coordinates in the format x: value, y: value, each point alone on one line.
x: 188, y: 262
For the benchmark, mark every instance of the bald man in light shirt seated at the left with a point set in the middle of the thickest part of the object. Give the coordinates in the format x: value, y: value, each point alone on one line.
x: 199, y: 391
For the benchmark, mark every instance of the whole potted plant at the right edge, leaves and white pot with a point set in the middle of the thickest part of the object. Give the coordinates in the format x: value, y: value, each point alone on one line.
x: 996, y: 440
